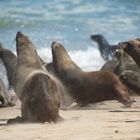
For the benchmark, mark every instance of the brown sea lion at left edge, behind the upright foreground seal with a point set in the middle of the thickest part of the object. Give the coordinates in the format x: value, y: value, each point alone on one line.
x: 10, y: 62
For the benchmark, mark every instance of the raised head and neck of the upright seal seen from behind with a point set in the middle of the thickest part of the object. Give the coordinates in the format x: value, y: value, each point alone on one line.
x: 26, y: 51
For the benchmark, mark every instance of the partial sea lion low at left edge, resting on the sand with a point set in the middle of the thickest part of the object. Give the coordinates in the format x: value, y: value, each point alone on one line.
x: 5, y: 99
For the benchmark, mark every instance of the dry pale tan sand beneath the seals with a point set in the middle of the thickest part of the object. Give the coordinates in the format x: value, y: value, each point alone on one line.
x: 104, y: 121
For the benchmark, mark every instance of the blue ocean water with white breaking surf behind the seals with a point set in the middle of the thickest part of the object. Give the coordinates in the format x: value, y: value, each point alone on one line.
x: 70, y: 22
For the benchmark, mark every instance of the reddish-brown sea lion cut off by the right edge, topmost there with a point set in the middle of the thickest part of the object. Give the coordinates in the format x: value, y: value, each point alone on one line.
x: 132, y: 47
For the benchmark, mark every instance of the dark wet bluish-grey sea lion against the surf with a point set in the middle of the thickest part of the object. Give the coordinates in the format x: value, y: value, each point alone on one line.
x: 106, y: 50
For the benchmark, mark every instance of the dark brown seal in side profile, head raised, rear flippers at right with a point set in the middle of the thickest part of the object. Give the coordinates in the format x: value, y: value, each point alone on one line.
x: 87, y: 87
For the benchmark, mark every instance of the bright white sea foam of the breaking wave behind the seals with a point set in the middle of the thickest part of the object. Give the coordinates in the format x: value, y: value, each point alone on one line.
x: 88, y: 60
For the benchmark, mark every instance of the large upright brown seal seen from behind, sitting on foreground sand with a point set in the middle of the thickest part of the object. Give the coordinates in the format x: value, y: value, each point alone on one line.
x: 36, y: 88
